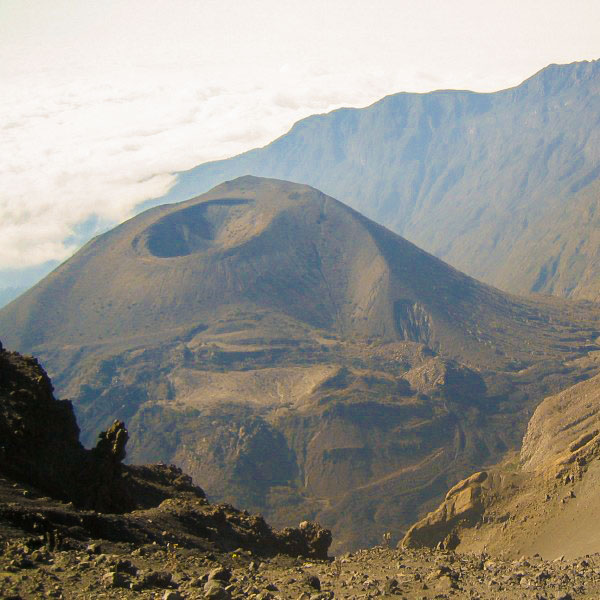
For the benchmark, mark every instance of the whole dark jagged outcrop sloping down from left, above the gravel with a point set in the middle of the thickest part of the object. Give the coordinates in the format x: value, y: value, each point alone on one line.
x: 51, y: 485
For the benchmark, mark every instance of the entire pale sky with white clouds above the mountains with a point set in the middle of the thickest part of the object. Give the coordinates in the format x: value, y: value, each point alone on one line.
x: 102, y: 102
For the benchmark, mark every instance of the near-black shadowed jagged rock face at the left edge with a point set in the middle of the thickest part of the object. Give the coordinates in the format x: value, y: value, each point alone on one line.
x: 40, y: 442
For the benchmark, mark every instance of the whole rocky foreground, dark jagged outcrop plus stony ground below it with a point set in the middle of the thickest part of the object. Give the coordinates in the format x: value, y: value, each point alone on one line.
x: 77, y: 523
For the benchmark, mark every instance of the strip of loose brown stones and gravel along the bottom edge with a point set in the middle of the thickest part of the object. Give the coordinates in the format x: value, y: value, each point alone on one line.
x: 30, y: 569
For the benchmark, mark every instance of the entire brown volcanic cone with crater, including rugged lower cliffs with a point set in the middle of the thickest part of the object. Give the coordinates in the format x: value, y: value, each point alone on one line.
x: 295, y: 357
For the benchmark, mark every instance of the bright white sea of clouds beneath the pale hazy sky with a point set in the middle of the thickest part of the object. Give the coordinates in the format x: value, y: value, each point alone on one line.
x: 90, y: 151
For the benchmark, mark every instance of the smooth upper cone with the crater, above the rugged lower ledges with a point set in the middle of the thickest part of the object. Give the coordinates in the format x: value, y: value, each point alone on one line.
x: 266, y: 245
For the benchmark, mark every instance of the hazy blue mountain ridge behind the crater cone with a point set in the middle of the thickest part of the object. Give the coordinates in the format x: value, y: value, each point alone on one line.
x: 504, y: 186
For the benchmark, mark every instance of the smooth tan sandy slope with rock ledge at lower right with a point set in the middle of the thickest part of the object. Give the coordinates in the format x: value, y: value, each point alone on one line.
x: 546, y: 504
